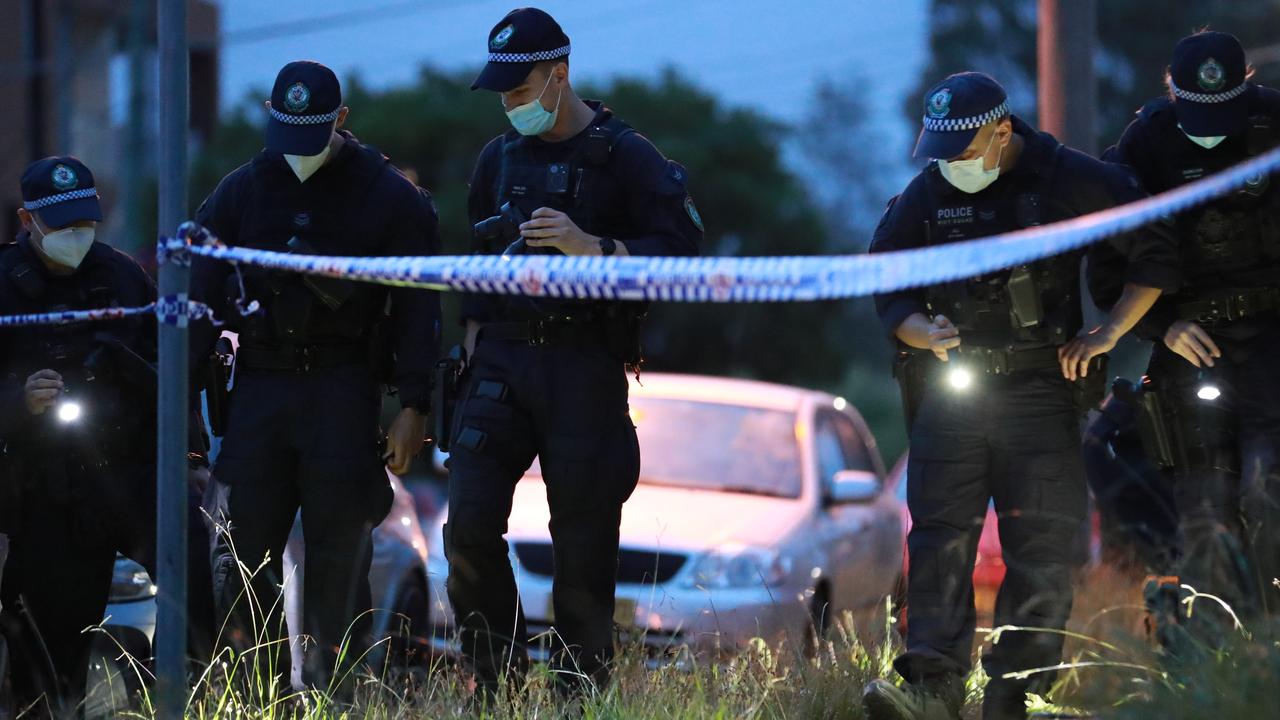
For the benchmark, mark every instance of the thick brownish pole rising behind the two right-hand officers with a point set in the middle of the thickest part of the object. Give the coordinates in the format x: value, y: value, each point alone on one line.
x: 1067, y: 38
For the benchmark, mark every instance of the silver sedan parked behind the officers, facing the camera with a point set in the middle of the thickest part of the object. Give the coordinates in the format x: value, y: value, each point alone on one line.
x: 761, y: 512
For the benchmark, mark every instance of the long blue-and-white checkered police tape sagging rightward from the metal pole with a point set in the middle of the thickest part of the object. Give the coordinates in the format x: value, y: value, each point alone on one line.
x: 752, y: 280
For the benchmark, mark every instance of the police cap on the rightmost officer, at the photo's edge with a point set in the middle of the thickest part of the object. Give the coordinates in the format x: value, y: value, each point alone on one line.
x: 1208, y: 81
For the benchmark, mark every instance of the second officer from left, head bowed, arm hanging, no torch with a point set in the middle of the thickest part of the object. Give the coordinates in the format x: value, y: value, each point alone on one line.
x: 303, y: 422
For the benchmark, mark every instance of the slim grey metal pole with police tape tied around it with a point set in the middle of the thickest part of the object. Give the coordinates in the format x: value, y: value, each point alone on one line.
x: 175, y: 102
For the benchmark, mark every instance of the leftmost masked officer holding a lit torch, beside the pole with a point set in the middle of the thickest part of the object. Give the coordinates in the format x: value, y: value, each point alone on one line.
x: 77, y: 430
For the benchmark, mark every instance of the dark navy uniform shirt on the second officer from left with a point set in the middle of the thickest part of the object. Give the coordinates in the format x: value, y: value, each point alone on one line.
x: 341, y: 212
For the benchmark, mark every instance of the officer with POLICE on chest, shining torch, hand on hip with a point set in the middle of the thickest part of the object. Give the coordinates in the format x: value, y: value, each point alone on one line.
x: 996, y: 418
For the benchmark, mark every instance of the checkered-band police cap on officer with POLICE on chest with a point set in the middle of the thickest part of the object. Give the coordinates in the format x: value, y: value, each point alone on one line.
x: 956, y: 110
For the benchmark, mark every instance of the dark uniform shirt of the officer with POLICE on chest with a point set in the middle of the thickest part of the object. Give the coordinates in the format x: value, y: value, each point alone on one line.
x: 932, y: 212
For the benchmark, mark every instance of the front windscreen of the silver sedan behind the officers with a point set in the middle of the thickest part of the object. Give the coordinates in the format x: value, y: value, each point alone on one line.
x: 716, y: 446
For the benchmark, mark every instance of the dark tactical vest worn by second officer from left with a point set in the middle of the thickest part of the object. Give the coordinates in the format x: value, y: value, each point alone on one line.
x: 300, y: 309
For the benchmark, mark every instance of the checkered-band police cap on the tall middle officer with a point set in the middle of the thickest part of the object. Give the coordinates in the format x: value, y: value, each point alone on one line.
x: 519, y: 42
